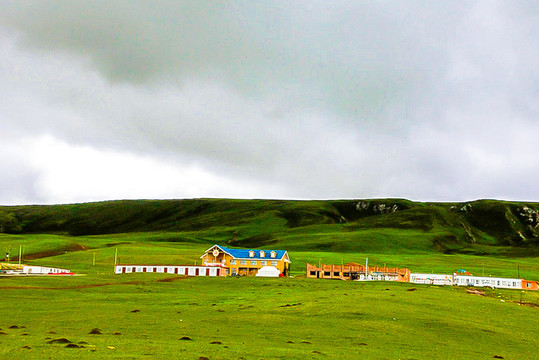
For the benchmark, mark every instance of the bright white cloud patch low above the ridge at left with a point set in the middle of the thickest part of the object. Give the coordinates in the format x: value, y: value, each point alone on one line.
x: 68, y: 173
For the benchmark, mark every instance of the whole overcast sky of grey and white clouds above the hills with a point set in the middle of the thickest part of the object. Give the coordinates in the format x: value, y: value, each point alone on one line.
x: 424, y: 100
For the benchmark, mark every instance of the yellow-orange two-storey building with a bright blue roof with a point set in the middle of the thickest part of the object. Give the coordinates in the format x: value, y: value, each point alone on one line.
x: 246, y: 261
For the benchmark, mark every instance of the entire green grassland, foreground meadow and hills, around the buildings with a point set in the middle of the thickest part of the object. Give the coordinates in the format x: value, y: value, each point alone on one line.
x: 145, y: 316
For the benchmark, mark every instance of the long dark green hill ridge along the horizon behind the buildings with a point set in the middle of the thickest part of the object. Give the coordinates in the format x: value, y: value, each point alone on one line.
x: 445, y: 227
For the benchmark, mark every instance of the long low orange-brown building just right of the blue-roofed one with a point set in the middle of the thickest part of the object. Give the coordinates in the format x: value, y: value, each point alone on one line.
x: 355, y: 271
